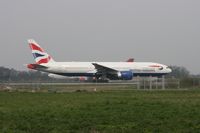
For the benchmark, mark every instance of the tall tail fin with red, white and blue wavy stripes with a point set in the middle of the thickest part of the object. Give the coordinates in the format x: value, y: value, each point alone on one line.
x: 40, y: 56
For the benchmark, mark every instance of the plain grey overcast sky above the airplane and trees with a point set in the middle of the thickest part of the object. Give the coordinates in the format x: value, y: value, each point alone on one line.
x: 163, y: 31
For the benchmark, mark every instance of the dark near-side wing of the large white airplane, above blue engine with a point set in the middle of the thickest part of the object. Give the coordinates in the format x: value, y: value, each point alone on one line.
x: 104, y: 70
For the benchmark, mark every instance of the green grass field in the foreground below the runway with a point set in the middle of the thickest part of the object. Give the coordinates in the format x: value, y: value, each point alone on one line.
x: 96, y: 112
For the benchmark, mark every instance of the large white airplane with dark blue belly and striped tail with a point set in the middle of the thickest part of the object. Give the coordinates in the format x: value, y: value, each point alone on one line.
x: 99, y: 70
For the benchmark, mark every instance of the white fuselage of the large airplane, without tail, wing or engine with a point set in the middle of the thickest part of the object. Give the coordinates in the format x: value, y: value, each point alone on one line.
x: 88, y: 69
